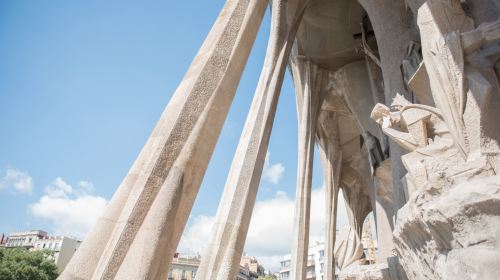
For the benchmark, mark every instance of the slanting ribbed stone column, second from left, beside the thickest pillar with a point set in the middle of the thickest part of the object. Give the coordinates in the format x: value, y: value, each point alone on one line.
x: 222, y: 257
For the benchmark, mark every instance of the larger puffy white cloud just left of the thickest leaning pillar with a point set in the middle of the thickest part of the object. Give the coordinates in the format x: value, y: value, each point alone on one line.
x: 70, y: 210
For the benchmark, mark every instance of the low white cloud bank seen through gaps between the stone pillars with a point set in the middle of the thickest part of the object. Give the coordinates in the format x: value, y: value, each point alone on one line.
x: 269, y: 236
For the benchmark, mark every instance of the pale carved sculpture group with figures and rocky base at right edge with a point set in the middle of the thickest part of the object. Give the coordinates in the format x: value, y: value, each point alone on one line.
x: 453, y: 150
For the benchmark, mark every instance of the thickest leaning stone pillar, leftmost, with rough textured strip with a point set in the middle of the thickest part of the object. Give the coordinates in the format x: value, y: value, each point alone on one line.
x: 137, y: 236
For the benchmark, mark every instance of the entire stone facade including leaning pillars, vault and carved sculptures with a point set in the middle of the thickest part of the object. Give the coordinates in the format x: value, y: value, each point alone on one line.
x: 402, y: 97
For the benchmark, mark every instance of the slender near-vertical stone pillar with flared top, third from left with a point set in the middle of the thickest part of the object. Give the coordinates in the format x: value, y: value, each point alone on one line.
x: 308, y: 78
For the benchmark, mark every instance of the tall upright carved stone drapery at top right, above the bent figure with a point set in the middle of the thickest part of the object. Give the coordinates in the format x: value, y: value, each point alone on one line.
x: 464, y: 85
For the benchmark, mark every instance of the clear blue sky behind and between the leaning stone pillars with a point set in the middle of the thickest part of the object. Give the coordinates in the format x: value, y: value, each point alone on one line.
x: 82, y: 83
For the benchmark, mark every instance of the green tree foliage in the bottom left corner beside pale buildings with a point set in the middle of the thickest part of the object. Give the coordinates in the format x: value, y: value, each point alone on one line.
x: 21, y: 264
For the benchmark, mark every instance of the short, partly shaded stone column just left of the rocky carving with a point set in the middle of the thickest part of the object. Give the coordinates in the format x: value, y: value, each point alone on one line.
x: 383, y: 197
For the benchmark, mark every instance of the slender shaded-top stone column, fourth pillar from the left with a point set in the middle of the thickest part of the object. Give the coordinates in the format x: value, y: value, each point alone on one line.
x: 331, y: 160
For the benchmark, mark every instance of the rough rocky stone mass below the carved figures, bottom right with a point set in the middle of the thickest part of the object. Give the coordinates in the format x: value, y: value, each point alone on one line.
x: 452, y: 235
